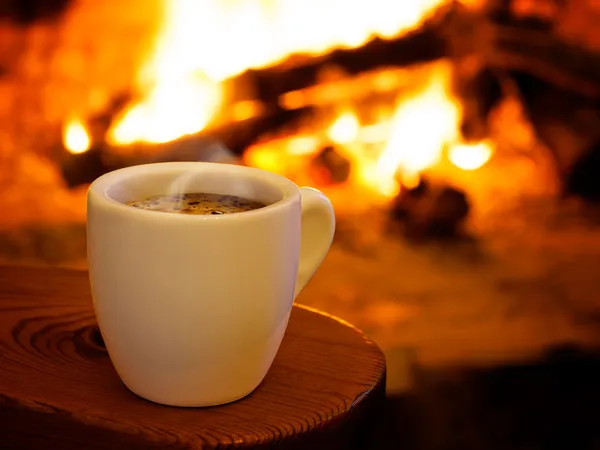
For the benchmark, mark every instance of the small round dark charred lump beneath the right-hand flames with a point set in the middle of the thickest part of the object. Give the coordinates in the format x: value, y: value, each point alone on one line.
x: 430, y: 210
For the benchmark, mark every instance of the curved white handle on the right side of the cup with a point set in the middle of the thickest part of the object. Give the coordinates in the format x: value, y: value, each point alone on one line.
x: 317, y: 229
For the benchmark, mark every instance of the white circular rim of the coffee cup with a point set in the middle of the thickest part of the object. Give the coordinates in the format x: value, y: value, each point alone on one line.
x: 98, y: 190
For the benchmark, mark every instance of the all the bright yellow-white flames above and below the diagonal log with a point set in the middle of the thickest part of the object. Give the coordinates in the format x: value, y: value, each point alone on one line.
x: 202, y: 43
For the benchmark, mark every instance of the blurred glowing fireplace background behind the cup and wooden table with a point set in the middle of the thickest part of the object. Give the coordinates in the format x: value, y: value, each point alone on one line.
x: 458, y: 140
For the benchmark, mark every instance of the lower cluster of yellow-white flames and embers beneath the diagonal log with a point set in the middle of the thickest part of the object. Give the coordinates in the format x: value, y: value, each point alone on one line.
x: 412, y: 139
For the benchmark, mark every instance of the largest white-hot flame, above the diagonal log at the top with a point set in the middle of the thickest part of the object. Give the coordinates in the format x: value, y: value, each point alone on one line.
x: 203, y: 42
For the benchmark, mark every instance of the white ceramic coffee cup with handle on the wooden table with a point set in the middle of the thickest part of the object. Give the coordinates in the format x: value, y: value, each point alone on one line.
x: 193, y: 308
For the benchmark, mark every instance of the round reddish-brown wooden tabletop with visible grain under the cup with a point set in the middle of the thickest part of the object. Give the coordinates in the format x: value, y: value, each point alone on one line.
x: 58, y: 388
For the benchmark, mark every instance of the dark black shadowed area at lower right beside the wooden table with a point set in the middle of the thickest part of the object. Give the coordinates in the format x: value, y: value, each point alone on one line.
x: 547, y: 403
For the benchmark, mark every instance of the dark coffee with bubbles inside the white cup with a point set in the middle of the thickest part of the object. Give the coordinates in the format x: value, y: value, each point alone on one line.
x: 198, y: 203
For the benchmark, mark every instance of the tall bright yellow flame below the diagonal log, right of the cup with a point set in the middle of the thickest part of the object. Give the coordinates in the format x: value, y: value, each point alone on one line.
x: 424, y: 122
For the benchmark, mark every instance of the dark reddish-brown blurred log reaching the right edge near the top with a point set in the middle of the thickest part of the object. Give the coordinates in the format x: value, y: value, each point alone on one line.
x: 506, y: 42
